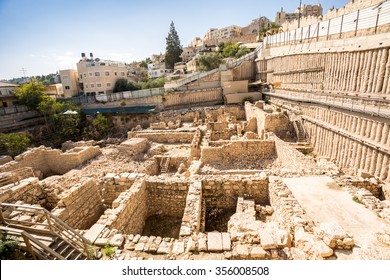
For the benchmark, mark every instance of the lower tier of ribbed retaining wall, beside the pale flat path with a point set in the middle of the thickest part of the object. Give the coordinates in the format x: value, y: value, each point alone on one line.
x: 354, y: 142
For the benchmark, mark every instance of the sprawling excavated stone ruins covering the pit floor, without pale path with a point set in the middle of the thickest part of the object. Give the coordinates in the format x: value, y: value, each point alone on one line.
x: 207, y: 189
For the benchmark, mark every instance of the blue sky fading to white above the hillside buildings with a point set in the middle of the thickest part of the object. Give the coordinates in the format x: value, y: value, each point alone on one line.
x: 44, y: 36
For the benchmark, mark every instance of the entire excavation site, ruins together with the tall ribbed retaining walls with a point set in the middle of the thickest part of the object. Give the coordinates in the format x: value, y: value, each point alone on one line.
x: 299, y: 173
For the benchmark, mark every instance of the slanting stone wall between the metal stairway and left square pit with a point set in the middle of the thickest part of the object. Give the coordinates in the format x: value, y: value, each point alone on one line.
x: 81, y: 206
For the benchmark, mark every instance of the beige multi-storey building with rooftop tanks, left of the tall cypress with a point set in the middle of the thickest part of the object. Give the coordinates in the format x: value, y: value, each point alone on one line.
x: 98, y: 76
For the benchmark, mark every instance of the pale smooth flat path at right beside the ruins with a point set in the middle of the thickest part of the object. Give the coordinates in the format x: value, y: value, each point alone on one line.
x: 324, y: 201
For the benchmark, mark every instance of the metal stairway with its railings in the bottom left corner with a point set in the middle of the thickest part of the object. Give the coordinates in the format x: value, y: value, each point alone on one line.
x: 48, y: 239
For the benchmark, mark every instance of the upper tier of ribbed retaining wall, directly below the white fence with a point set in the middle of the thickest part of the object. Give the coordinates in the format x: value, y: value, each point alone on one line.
x: 363, y: 69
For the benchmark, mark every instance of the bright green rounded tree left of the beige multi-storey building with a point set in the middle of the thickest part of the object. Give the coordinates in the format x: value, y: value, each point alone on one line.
x: 31, y: 94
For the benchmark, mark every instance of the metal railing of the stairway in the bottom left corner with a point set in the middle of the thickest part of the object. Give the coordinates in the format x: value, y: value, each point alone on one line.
x: 48, y: 224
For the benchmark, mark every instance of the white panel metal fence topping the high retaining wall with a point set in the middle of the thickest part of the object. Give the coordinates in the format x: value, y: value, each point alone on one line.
x: 371, y: 17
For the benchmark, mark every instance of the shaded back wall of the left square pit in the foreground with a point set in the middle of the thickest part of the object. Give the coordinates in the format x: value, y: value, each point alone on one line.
x: 166, y: 198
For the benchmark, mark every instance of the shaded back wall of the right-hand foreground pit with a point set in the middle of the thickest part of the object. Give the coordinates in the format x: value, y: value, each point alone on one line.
x: 230, y: 187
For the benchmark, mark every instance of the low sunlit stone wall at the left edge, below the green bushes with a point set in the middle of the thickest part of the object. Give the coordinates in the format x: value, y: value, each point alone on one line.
x: 50, y: 162
